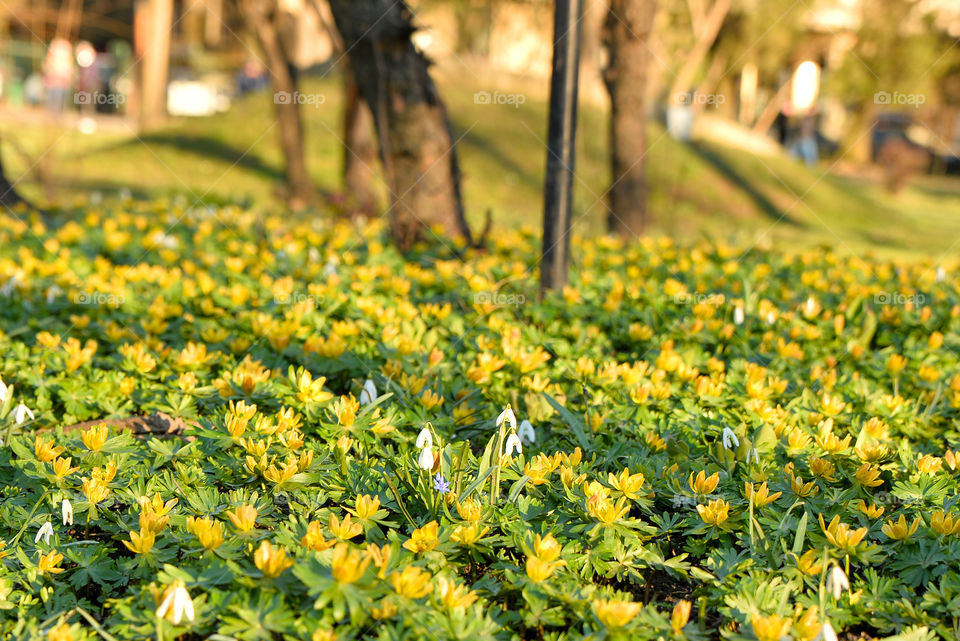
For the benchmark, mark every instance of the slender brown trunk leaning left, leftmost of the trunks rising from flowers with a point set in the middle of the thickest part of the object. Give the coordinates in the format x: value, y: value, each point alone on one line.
x: 260, y: 19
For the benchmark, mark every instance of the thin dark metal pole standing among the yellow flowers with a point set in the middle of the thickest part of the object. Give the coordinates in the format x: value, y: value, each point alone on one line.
x: 561, y: 143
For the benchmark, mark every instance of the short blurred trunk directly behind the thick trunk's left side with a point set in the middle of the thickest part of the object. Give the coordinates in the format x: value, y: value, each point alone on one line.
x: 359, y: 150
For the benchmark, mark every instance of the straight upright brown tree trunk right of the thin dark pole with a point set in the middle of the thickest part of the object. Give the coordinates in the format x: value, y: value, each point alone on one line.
x: 627, y: 32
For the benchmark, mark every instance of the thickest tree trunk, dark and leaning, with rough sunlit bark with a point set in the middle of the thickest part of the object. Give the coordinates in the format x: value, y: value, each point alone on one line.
x: 416, y: 142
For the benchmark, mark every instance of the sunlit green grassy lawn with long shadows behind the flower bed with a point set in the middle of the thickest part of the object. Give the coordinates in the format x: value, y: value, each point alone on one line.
x: 701, y: 189
